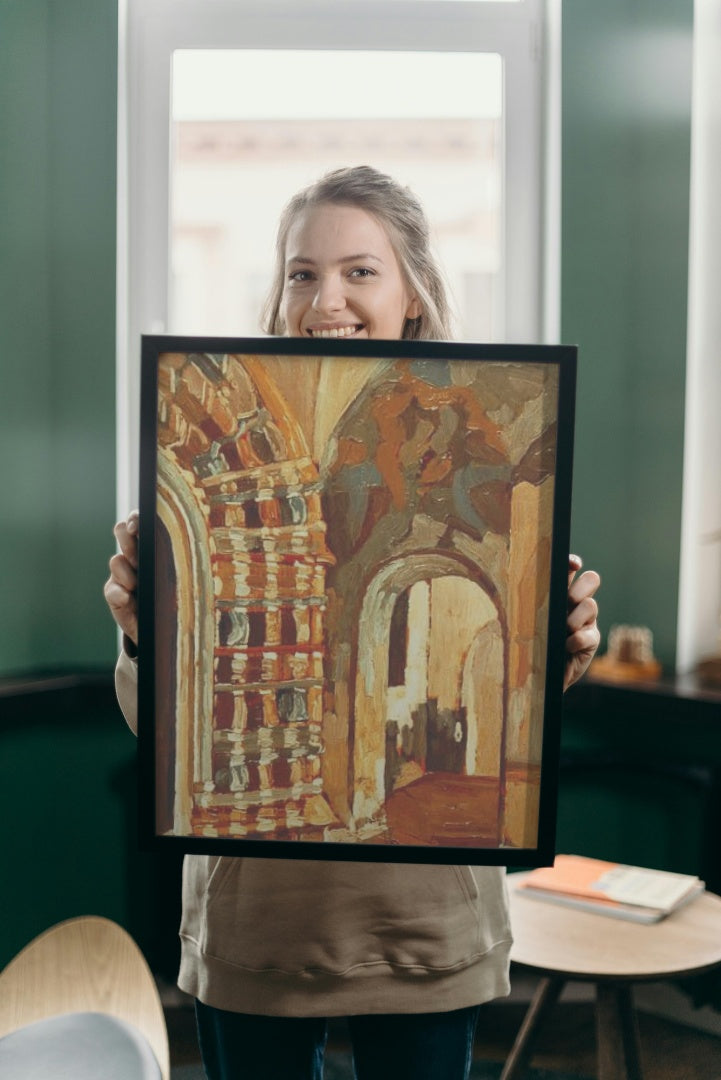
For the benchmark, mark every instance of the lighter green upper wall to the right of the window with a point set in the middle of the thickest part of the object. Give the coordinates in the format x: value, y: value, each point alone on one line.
x: 627, y: 127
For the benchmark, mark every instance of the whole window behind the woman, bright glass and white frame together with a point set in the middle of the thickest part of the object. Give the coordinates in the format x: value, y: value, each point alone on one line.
x: 478, y: 163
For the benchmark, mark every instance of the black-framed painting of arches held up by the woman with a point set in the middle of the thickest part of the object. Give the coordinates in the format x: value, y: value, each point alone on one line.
x: 353, y: 598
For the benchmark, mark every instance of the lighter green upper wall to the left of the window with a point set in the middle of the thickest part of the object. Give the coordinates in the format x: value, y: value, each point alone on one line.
x: 58, y: 308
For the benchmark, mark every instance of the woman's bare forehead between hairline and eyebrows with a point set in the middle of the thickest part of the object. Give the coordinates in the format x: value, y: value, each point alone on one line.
x: 332, y: 231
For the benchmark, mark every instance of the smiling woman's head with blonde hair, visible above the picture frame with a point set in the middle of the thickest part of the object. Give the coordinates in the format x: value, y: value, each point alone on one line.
x: 353, y: 260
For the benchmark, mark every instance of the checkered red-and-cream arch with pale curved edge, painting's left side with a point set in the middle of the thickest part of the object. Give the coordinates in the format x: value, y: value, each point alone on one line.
x: 239, y: 498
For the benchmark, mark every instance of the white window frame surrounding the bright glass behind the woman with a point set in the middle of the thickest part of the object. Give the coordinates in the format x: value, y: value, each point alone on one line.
x: 526, y: 35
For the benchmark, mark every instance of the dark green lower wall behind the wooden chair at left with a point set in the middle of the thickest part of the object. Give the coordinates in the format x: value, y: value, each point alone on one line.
x: 69, y: 789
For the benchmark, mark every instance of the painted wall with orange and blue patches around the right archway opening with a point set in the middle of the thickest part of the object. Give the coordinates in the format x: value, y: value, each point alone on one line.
x: 453, y: 466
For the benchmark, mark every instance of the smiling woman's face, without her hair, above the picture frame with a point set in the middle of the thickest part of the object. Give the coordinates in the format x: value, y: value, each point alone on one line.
x: 343, y: 278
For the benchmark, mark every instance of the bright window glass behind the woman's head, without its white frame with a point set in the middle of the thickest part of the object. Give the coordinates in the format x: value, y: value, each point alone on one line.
x: 236, y: 159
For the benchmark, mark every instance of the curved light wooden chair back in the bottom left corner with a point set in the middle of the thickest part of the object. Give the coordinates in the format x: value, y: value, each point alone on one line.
x: 85, y: 965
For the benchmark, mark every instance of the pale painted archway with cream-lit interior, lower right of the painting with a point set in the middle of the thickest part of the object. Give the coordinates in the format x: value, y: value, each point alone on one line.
x: 441, y: 671
